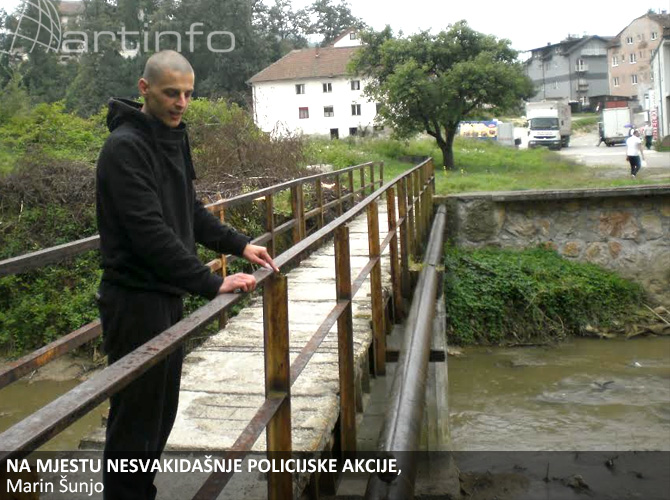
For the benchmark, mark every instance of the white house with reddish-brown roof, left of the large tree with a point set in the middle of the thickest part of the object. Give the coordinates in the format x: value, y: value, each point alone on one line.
x: 309, y: 91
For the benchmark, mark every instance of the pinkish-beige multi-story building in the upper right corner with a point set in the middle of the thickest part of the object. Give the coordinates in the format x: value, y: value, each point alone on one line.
x: 630, y: 53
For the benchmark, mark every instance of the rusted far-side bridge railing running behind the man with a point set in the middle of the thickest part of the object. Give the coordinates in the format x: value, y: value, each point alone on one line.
x: 26, y: 364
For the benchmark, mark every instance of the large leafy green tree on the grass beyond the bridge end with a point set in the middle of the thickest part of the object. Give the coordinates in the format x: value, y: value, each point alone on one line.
x: 429, y: 83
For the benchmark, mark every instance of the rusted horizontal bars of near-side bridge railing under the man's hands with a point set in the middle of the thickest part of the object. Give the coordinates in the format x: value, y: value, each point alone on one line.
x: 54, y: 417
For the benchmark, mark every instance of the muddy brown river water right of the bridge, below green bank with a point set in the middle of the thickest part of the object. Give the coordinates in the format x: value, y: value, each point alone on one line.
x: 584, y: 394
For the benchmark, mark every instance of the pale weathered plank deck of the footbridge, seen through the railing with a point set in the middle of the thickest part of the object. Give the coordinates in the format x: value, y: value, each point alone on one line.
x: 223, y: 379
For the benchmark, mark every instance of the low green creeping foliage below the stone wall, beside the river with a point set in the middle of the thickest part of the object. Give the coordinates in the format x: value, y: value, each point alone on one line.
x: 498, y: 296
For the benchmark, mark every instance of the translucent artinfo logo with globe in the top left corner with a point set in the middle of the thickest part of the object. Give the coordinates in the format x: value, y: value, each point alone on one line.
x: 38, y: 26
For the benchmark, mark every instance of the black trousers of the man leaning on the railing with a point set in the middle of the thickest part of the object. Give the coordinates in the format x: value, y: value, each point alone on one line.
x: 142, y: 414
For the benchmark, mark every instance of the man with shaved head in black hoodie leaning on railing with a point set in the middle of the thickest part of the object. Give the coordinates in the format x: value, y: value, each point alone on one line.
x: 149, y: 220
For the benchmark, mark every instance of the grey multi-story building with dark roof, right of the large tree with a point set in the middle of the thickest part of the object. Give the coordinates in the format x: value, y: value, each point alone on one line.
x: 574, y: 69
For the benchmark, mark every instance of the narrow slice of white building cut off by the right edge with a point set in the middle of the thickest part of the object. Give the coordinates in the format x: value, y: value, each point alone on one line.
x: 660, y: 105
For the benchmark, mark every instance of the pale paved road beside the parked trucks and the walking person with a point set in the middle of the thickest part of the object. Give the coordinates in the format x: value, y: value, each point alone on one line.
x: 610, y: 161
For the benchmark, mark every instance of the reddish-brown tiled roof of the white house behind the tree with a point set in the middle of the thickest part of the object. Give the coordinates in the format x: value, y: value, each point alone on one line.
x: 320, y: 62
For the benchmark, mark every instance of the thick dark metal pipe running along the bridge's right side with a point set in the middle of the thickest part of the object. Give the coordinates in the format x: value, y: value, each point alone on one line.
x: 404, y: 417
